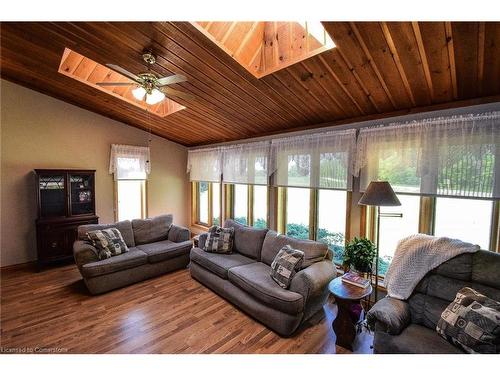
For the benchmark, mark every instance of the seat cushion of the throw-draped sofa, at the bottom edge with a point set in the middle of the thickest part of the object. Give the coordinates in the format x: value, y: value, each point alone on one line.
x: 415, y: 339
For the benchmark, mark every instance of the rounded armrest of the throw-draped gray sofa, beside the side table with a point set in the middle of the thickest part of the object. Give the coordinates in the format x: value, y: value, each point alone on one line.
x: 389, y: 315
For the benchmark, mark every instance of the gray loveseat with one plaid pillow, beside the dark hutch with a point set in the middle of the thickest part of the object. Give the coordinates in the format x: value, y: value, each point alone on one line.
x: 156, y: 246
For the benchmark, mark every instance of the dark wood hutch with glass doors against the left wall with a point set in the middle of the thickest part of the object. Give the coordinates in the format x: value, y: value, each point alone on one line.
x: 66, y: 199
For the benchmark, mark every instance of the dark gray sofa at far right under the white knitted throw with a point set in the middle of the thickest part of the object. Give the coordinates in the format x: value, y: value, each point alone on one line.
x: 410, y: 326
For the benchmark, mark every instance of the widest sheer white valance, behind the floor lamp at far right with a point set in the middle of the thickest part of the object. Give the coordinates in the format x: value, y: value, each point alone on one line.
x: 447, y: 156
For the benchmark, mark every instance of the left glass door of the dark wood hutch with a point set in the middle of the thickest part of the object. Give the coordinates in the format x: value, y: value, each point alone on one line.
x: 52, y: 195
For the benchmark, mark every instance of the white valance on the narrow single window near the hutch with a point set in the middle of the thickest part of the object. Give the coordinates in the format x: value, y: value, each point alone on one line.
x: 129, y: 162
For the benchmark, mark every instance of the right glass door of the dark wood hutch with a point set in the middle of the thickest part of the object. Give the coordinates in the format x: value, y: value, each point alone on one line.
x: 81, y: 197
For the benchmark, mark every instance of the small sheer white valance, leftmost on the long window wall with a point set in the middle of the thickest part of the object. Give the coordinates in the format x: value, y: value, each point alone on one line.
x: 205, y: 164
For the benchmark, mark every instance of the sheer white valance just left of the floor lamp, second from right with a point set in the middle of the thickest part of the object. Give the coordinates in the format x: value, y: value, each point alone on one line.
x: 321, y: 160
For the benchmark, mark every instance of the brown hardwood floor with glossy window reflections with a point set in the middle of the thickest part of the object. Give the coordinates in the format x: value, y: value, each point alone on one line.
x: 53, y: 311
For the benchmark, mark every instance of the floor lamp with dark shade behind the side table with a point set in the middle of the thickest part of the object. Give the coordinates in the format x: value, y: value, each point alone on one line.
x: 379, y: 194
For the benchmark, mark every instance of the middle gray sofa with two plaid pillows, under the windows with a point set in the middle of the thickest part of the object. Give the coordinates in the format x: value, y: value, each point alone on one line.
x: 243, y: 277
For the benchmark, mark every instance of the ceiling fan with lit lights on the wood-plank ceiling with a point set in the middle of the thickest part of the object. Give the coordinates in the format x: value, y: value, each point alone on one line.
x: 150, y: 87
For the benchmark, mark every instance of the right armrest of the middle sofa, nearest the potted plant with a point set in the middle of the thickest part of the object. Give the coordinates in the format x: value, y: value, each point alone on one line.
x: 313, y: 280
